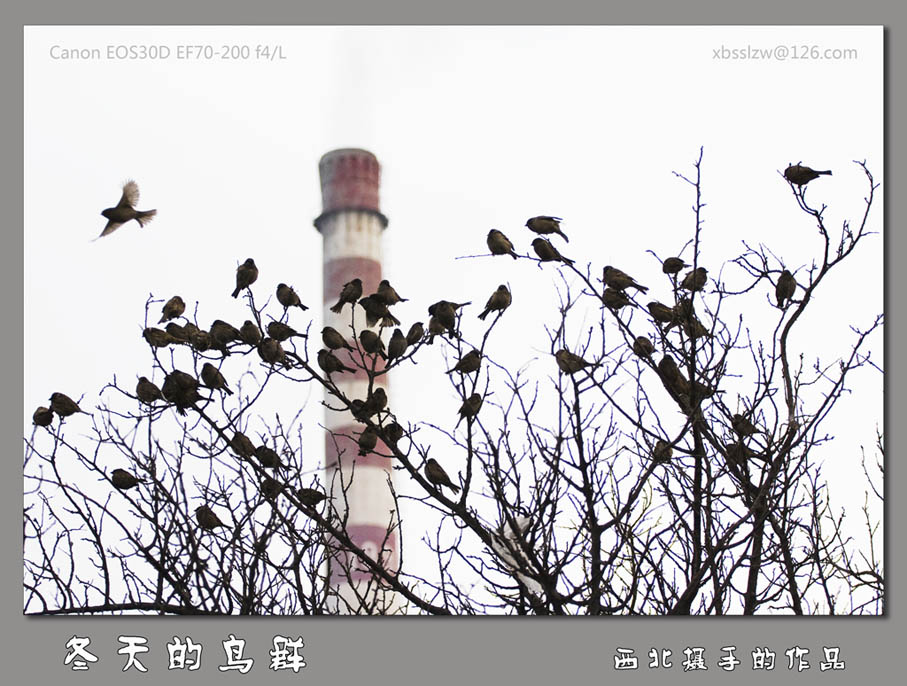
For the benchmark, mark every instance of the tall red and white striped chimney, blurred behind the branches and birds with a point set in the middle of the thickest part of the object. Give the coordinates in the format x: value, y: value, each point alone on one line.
x: 351, y: 225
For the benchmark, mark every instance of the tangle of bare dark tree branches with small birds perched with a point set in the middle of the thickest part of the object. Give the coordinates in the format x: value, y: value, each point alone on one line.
x: 668, y: 465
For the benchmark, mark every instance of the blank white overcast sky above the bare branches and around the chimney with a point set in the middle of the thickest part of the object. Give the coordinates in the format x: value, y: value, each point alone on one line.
x: 475, y: 127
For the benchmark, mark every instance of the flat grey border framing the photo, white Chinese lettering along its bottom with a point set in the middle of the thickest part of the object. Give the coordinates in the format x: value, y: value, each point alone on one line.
x: 432, y: 650
